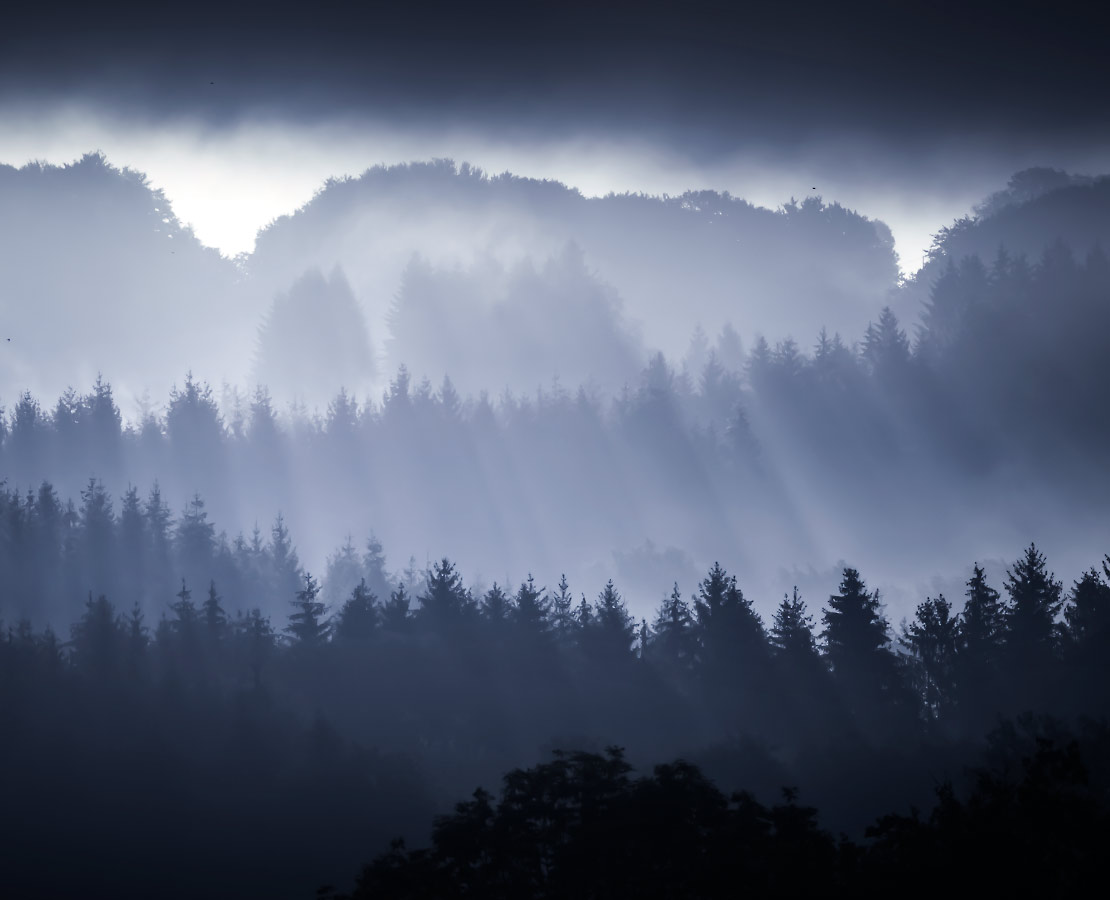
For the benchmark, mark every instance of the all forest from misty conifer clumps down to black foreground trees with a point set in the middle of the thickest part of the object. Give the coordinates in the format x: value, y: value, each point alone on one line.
x: 180, y: 635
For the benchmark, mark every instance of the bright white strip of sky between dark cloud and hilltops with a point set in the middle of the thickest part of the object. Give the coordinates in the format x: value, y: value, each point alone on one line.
x: 229, y: 184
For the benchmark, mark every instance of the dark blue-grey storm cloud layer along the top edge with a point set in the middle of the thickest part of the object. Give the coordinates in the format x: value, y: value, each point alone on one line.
x: 698, y: 77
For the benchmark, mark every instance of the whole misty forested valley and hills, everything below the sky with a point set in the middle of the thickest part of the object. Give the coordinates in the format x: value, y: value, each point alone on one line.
x: 476, y: 538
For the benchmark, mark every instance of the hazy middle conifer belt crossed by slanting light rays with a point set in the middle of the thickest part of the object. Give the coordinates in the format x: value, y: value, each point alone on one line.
x: 987, y: 411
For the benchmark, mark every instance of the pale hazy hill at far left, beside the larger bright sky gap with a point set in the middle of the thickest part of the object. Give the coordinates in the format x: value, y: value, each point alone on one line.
x: 97, y: 275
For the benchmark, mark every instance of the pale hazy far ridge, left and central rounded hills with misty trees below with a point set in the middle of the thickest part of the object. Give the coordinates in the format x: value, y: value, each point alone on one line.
x: 497, y: 280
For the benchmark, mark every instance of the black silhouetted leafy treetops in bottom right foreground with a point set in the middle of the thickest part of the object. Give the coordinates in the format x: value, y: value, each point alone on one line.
x: 1034, y: 823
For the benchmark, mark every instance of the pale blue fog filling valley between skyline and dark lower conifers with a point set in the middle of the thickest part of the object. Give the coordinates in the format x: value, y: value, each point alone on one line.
x: 529, y: 320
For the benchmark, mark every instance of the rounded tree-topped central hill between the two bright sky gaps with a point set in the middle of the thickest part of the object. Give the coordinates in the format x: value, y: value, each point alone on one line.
x: 675, y: 260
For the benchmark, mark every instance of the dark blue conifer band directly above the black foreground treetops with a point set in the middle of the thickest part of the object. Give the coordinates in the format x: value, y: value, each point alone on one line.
x: 217, y: 711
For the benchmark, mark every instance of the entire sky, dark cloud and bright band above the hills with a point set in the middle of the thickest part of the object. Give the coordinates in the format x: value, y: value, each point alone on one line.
x: 907, y: 113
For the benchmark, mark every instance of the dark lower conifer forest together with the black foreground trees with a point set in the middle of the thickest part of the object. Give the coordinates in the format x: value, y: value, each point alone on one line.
x: 314, y: 737
